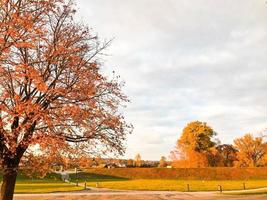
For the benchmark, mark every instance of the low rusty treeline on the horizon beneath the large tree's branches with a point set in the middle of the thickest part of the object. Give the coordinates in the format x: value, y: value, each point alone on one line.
x: 41, y: 164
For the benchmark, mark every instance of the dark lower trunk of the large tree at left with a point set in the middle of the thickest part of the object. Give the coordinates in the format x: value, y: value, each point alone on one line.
x: 8, y: 185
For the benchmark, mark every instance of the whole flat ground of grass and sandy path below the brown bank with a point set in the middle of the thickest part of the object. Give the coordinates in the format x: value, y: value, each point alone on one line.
x: 49, y: 188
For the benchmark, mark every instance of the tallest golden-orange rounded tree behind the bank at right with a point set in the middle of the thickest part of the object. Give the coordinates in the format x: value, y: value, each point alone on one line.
x: 194, y: 145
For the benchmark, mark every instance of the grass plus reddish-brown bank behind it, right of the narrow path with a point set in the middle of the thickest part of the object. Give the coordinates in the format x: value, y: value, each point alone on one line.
x: 204, y: 179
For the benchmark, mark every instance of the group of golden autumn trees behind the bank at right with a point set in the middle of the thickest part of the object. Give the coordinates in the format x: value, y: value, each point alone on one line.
x: 197, y: 147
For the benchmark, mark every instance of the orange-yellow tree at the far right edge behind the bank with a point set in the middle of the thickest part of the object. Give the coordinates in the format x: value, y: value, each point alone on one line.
x: 251, y: 151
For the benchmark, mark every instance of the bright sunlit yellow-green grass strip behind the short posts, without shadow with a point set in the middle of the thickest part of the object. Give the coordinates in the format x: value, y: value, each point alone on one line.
x: 178, y: 185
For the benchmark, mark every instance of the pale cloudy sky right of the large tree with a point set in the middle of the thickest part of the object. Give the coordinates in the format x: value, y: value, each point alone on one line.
x: 184, y: 61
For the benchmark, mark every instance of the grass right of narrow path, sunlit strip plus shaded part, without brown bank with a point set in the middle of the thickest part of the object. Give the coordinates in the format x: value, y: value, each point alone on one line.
x: 113, y: 182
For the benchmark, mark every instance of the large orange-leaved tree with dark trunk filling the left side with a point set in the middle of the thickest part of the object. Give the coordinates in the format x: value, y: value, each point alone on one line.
x: 51, y: 89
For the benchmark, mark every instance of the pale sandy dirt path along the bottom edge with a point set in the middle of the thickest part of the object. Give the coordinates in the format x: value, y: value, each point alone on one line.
x: 136, y: 195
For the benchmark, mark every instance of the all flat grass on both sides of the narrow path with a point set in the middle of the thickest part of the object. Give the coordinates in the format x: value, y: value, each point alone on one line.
x: 52, y: 183
